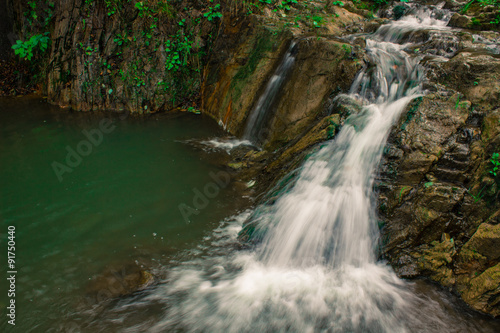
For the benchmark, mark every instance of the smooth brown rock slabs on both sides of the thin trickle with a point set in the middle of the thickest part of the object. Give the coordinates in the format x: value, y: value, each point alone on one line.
x: 246, y: 57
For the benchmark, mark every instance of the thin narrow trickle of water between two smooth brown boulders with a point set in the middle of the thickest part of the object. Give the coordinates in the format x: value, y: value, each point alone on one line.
x: 262, y: 111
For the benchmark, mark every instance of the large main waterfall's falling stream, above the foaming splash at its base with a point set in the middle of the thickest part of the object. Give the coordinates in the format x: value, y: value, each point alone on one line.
x: 328, y: 217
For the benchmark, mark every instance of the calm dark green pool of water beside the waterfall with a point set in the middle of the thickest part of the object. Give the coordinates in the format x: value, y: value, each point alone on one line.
x: 119, y: 204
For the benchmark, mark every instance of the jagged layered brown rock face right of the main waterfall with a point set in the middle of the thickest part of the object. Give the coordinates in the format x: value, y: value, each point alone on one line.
x: 437, y: 194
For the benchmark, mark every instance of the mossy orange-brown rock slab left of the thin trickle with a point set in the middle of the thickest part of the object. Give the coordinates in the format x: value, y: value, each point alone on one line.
x: 245, y: 57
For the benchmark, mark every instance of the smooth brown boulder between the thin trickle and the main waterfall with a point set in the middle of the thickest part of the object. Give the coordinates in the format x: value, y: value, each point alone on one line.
x: 324, y: 69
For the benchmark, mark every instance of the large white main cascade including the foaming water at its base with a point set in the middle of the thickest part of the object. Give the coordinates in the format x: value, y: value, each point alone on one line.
x: 316, y: 268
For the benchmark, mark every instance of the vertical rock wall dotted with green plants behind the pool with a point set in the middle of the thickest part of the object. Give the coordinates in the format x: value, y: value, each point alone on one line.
x: 120, y: 55
